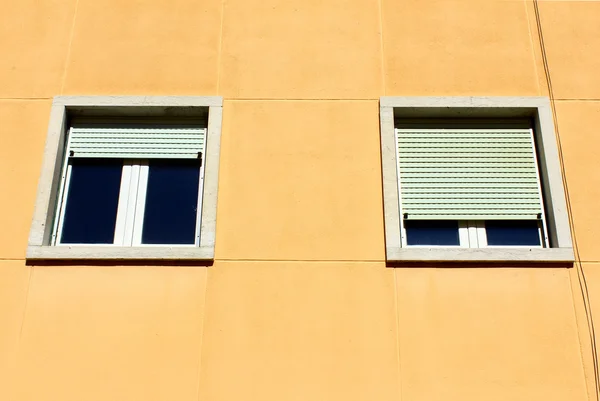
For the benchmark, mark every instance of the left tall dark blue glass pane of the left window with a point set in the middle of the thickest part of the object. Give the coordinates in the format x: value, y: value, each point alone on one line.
x: 92, y: 201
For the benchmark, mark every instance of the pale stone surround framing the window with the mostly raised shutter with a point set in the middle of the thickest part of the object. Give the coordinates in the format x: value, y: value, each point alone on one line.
x: 40, y: 246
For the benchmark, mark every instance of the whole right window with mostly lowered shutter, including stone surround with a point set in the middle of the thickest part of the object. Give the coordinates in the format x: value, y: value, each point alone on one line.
x: 472, y: 179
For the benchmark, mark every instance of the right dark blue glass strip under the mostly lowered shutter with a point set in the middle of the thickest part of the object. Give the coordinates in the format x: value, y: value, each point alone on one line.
x: 512, y: 232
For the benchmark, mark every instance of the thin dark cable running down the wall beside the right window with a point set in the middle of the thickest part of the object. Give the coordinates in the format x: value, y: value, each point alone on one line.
x: 578, y: 265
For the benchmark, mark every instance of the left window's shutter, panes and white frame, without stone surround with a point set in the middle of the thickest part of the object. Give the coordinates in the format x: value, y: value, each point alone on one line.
x: 128, y: 185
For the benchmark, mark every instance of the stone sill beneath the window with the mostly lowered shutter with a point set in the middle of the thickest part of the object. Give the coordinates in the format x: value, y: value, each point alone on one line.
x: 481, y: 255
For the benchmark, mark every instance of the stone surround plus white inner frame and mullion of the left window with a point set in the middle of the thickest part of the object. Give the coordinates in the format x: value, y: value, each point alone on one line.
x: 46, y: 228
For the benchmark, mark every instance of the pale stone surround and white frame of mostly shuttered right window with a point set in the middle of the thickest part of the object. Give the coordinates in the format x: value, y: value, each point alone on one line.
x: 557, y: 245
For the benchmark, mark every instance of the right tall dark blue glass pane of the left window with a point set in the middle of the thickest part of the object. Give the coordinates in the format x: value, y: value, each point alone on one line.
x: 171, y: 202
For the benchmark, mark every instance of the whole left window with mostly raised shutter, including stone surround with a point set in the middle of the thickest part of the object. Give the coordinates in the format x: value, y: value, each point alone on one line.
x: 129, y: 178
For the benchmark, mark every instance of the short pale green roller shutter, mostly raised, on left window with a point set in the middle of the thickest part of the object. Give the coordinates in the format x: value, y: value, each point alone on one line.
x: 136, y: 143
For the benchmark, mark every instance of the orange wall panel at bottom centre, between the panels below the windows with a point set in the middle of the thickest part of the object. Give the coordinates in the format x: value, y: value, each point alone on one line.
x: 297, y: 331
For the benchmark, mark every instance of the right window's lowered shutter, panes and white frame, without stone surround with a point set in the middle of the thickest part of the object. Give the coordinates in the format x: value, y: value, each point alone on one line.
x: 469, y: 178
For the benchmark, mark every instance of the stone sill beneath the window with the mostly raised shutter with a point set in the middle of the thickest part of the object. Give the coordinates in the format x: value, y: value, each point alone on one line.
x: 116, y: 253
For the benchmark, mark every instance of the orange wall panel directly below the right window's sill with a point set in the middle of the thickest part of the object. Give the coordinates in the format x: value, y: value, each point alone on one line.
x: 493, y: 334
